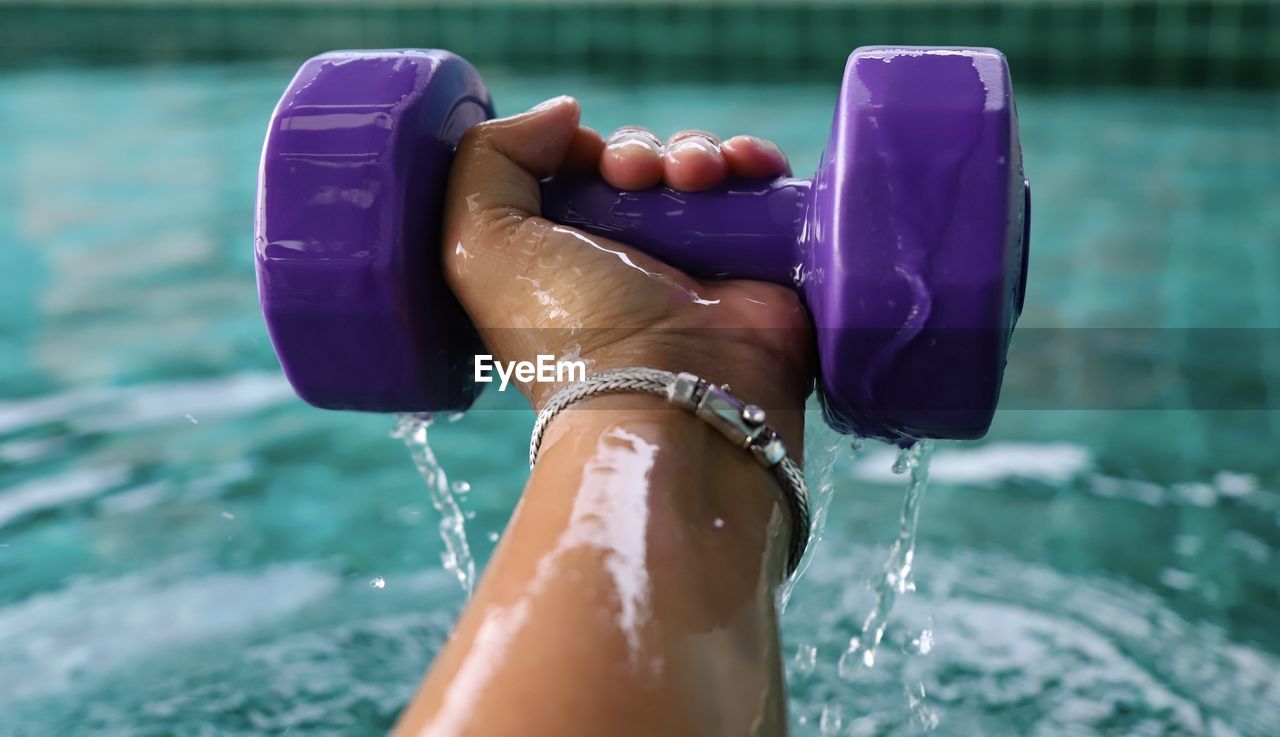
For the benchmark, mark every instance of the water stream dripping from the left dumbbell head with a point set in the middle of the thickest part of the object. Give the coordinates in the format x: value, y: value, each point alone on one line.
x: 445, y: 497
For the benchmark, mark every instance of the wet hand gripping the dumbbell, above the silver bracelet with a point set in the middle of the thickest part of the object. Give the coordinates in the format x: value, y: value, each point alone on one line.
x: 533, y: 287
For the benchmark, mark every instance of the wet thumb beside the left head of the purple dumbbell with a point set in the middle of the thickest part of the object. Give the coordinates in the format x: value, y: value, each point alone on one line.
x: 500, y: 162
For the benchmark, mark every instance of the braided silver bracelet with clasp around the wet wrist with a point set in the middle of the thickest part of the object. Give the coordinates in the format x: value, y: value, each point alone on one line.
x: 742, y: 423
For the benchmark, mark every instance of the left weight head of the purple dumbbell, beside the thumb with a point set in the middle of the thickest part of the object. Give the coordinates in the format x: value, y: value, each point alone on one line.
x: 350, y: 191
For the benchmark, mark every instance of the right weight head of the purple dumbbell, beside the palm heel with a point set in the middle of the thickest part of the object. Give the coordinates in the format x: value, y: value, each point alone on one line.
x: 920, y: 241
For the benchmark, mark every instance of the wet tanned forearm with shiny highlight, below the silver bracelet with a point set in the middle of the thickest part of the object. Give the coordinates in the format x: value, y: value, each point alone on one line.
x: 633, y: 590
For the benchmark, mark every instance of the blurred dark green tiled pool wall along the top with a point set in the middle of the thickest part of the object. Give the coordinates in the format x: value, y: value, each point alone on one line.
x: 1233, y: 44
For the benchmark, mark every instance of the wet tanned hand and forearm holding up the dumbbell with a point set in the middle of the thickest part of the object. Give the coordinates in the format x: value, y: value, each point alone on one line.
x: 634, y: 589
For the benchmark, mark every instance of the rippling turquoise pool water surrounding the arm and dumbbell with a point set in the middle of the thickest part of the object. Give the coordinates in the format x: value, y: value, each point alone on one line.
x: 186, y: 550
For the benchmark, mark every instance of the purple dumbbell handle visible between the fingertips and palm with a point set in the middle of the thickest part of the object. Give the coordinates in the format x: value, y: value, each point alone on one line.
x: 744, y: 230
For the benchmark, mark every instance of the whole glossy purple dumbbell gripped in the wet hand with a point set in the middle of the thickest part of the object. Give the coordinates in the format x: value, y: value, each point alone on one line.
x: 908, y: 246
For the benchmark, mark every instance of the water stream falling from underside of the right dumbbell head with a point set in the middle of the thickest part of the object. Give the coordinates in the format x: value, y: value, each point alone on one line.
x: 897, y: 579
